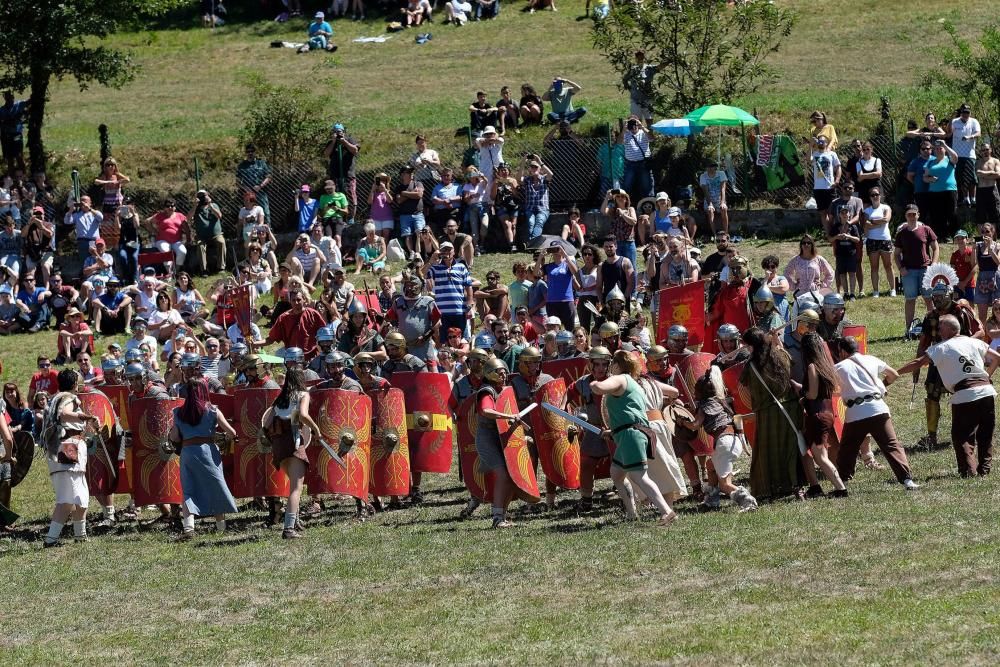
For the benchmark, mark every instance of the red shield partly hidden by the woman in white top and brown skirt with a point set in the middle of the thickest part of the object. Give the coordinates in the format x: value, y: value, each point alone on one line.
x: 254, y: 473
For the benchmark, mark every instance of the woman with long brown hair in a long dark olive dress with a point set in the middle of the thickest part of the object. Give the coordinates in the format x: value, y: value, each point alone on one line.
x: 776, y: 466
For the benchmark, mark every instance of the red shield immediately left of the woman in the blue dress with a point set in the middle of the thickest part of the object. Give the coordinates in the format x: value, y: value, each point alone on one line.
x: 156, y: 476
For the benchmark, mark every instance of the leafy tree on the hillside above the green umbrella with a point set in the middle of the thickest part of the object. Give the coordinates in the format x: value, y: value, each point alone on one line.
x: 707, y: 53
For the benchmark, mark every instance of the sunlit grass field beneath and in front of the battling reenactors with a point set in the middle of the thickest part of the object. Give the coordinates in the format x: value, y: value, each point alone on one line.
x: 885, y: 577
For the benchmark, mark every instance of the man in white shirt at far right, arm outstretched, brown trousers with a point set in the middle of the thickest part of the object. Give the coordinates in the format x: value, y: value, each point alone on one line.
x: 966, y: 365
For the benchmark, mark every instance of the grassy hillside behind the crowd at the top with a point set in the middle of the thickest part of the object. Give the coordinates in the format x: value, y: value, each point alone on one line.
x: 188, y: 98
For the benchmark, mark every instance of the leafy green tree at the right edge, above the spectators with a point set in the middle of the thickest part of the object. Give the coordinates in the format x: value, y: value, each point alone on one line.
x: 973, y: 74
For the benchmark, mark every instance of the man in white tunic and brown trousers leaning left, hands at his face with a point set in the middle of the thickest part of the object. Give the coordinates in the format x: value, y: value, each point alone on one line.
x: 863, y: 390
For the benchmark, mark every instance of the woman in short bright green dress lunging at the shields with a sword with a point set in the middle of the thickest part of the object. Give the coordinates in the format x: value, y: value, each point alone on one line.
x: 629, y: 427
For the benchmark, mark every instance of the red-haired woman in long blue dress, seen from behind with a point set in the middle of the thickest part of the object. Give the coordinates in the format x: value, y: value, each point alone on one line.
x: 204, y: 486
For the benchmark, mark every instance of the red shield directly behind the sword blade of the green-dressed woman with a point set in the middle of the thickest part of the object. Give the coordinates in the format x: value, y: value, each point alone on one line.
x: 559, y: 456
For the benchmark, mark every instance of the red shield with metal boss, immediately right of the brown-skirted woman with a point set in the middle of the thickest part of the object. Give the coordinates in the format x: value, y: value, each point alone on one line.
x: 345, y: 422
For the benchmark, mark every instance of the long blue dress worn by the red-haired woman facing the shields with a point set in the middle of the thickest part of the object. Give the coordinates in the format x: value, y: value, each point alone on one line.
x: 202, y: 481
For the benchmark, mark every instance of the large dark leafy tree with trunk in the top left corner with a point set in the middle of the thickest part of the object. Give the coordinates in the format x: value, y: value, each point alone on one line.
x: 65, y: 38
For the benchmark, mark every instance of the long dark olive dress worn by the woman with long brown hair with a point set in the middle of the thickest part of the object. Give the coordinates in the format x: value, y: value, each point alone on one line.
x: 776, y: 466
